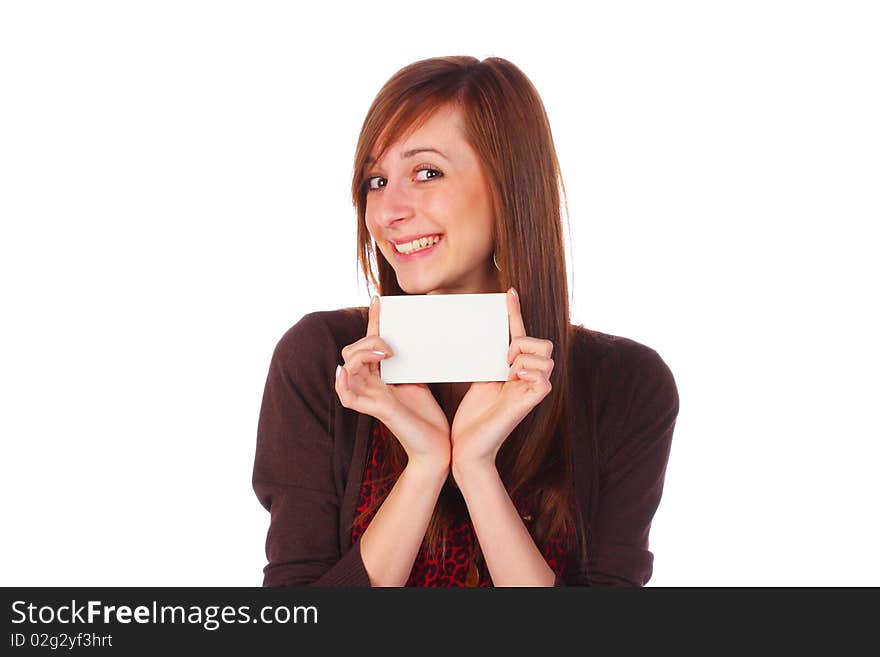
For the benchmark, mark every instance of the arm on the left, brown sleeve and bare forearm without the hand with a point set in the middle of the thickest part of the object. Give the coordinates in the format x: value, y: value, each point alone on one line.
x: 294, y: 480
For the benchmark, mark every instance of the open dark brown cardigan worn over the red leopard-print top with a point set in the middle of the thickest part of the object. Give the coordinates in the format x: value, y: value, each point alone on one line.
x: 311, y: 454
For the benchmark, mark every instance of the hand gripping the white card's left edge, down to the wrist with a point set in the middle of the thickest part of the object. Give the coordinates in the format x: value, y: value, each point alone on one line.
x: 409, y: 410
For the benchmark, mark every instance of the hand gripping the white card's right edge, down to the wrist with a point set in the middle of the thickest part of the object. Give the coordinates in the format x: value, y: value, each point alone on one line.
x: 491, y: 410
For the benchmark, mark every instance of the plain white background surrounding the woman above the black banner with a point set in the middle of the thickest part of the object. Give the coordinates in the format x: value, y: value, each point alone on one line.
x: 174, y: 194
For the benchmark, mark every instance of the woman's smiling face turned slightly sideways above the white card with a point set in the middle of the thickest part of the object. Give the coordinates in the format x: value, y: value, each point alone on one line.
x: 413, y: 192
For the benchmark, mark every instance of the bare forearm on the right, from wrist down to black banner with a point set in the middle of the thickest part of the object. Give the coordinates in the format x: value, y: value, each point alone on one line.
x: 511, y: 555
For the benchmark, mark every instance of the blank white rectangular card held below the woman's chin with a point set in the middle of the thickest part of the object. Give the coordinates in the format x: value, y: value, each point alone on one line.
x: 440, y: 338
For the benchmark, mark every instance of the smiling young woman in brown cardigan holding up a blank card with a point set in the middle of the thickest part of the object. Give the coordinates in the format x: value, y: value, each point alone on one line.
x: 549, y: 478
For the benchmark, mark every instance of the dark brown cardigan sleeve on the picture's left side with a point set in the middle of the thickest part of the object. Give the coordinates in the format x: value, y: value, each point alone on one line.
x: 293, y: 468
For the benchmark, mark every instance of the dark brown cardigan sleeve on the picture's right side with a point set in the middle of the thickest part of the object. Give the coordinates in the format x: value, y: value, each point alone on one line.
x: 636, y: 437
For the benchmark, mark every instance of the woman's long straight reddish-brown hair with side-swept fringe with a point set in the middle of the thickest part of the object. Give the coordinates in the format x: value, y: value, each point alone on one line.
x: 506, y: 124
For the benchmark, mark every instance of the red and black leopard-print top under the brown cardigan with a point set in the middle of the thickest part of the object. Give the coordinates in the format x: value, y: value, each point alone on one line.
x: 456, y: 569
